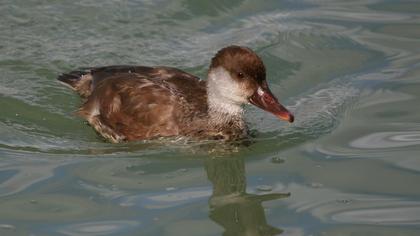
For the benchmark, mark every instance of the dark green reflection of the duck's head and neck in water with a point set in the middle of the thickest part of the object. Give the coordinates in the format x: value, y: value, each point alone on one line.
x: 238, y: 212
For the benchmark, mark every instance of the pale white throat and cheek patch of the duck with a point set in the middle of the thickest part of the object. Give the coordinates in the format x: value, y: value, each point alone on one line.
x: 224, y: 96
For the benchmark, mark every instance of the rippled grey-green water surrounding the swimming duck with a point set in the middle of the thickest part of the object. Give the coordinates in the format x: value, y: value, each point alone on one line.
x: 349, y: 165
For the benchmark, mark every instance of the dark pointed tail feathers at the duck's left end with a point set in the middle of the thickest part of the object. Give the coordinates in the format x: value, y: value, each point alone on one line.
x: 78, y: 80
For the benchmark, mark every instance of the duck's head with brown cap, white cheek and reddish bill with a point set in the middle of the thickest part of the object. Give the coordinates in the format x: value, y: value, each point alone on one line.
x: 237, y: 76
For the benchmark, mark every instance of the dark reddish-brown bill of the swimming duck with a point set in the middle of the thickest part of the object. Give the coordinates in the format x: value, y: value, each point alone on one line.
x: 264, y: 99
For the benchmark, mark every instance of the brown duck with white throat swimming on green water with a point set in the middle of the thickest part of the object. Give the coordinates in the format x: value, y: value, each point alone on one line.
x: 128, y: 103
